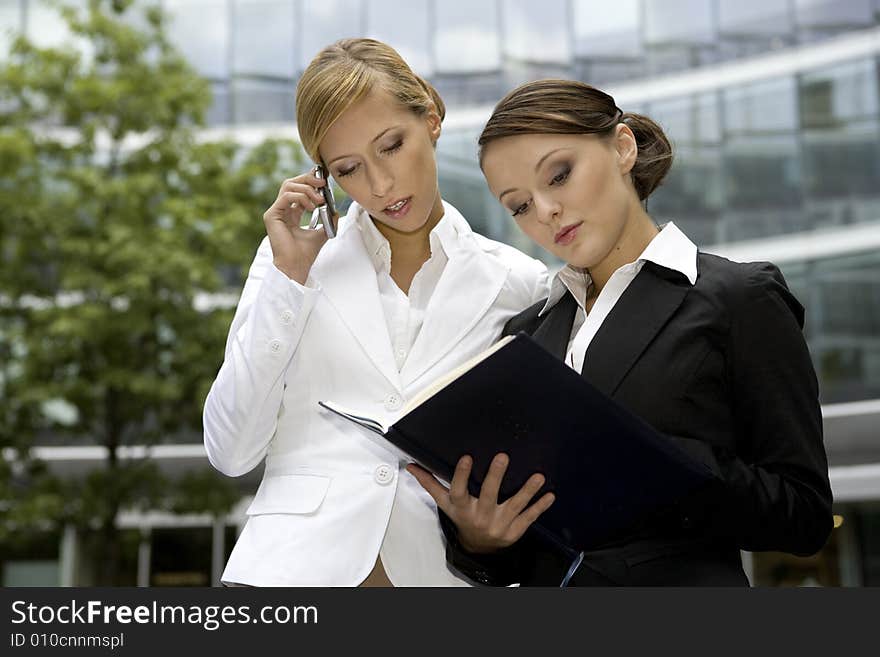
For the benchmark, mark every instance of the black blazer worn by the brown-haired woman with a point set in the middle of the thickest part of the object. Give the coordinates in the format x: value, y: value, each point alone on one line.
x: 722, y: 369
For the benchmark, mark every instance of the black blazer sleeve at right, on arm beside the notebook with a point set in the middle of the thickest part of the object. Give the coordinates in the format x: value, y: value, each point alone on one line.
x: 775, y: 492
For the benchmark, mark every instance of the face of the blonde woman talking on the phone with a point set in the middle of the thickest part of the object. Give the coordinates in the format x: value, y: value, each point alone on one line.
x: 382, y: 154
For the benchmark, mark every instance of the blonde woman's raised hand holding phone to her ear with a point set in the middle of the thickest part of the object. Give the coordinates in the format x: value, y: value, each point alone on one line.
x: 294, y: 248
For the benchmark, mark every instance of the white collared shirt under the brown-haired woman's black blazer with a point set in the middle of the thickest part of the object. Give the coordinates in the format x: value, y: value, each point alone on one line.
x: 670, y: 248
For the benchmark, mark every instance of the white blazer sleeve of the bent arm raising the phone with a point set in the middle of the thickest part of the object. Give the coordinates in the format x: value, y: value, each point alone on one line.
x: 241, y: 409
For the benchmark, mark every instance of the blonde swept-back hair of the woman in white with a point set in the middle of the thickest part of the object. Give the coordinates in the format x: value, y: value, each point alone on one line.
x: 346, y: 71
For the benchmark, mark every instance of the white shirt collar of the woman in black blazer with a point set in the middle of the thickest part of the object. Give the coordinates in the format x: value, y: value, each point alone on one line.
x: 670, y: 248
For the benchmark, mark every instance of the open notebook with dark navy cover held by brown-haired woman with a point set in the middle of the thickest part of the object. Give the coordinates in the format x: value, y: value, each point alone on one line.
x: 607, y: 467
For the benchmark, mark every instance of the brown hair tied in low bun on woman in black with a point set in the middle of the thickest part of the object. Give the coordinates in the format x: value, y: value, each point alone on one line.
x: 568, y: 107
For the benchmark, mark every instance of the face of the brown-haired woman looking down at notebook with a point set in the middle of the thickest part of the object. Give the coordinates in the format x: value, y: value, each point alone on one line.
x: 569, y: 193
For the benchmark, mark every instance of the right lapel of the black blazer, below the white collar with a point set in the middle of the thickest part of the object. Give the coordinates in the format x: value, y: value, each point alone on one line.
x: 645, y: 307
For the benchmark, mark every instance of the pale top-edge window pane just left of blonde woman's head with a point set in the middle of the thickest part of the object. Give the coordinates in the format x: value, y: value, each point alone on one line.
x: 262, y: 38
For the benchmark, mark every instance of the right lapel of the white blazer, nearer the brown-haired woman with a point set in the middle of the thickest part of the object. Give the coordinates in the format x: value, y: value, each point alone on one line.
x: 468, y: 286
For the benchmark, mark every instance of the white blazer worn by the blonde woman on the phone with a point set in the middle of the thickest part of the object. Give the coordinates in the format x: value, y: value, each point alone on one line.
x: 331, y: 498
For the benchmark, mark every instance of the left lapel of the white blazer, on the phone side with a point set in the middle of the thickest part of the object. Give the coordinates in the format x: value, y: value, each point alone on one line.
x: 347, y: 278
